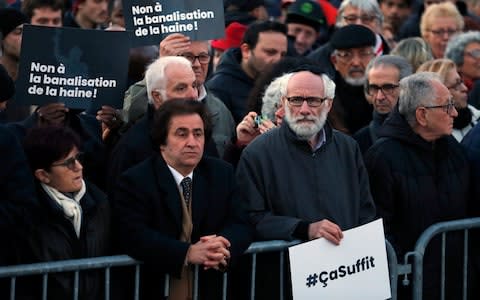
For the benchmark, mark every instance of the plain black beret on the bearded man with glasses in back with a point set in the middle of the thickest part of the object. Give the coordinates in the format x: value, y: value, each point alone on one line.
x: 353, y: 36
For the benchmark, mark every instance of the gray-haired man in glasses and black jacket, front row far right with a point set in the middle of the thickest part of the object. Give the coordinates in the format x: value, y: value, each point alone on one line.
x: 419, y: 176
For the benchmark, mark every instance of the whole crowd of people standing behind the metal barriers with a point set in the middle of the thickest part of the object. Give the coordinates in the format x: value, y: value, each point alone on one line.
x: 308, y: 118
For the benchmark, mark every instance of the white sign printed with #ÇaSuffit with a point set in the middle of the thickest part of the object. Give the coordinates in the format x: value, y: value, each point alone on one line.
x: 355, y: 269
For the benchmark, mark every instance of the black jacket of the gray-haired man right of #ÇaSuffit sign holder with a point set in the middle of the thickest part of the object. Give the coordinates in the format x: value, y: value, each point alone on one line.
x: 415, y: 184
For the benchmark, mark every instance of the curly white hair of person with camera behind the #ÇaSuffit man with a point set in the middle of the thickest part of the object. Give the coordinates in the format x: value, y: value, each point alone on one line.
x: 273, y: 95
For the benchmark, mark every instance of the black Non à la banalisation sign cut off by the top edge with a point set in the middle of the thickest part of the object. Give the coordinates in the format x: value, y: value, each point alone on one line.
x: 150, y: 21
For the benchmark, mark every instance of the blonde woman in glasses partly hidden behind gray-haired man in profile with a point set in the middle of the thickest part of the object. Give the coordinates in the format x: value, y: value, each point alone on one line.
x: 468, y: 115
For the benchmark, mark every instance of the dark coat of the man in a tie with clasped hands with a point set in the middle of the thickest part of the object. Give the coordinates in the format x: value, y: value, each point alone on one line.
x: 148, y: 215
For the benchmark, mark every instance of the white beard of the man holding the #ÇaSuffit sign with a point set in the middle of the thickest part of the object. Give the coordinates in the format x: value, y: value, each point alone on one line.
x: 305, y: 130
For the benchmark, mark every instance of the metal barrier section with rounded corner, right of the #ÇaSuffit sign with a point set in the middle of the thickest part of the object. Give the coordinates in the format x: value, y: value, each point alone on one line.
x: 419, y: 252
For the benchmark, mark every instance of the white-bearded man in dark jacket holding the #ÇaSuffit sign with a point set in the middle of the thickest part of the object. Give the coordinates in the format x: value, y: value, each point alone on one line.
x: 305, y: 180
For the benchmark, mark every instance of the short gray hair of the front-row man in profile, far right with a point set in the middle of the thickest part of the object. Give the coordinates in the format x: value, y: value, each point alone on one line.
x: 416, y: 90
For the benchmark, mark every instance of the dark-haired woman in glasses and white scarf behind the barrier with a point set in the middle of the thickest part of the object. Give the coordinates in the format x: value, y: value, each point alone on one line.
x: 74, y: 215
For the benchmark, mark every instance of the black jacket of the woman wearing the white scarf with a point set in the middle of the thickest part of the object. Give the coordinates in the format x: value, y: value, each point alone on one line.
x: 54, y: 238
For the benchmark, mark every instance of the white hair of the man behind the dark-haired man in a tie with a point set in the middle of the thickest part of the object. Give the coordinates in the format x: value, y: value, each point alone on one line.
x: 155, y: 74
